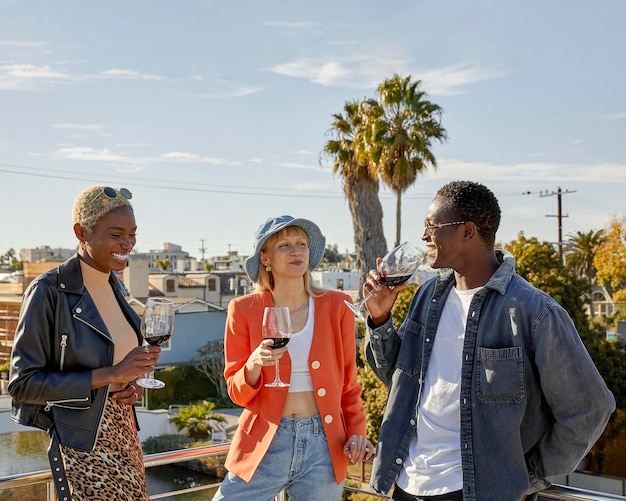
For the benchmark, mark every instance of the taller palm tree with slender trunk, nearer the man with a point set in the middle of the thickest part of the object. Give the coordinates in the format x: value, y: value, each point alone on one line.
x: 403, y: 135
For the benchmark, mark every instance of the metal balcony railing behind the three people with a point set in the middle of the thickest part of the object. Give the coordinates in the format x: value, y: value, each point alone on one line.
x: 556, y: 492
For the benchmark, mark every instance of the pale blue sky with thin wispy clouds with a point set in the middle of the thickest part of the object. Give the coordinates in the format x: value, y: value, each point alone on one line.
x: 215, y: 114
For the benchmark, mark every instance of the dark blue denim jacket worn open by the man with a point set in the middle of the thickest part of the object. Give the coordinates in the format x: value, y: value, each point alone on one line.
x: 532, y: 402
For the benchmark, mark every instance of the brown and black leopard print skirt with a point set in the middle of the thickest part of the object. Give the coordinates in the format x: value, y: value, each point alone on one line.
x: 114, y: 470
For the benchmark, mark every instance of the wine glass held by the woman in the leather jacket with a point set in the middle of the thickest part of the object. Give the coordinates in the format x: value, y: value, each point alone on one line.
x: 157, y: 325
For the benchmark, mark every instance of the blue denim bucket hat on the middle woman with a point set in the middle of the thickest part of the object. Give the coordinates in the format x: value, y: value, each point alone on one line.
x: 317, y: 241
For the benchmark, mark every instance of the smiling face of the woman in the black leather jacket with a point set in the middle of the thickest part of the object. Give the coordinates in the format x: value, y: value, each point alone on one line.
x: 107, y: 247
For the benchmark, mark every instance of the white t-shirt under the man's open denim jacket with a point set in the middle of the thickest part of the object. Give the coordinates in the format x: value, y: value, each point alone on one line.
x: 433, y: 466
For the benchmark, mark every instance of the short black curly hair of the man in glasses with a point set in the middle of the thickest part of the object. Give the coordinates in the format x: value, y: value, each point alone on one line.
x: 471, y: 201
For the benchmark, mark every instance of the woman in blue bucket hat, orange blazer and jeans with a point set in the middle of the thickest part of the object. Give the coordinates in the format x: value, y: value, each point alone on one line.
x: 297, y: 438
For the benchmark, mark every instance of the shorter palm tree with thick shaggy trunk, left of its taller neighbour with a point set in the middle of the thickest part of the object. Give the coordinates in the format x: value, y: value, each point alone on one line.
x: 348, y: 153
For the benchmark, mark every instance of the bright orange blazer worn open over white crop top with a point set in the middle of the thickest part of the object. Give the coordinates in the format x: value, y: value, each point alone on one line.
x: 332, y: 363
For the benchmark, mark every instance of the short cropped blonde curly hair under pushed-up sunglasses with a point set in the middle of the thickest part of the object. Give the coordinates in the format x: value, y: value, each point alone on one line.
x: 92, y: 203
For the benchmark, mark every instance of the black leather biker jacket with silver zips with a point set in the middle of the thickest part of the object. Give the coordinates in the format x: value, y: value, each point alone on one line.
x: 60, y: 339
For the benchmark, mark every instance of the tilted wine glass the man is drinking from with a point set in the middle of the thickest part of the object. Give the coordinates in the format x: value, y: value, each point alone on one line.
x: 396, y: 267
